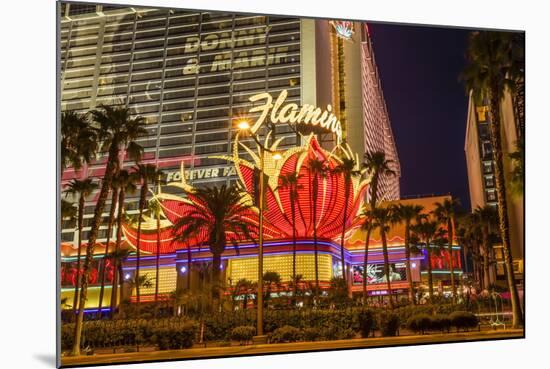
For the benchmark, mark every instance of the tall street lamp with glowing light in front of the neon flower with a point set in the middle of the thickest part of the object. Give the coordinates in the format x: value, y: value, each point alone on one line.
x: 244, y: 126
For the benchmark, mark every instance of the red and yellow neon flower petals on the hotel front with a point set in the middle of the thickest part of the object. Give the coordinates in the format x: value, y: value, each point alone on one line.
x: 277, y: 215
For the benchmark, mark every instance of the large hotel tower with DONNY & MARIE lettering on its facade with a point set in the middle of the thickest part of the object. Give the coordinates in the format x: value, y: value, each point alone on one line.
x: 190, y: 75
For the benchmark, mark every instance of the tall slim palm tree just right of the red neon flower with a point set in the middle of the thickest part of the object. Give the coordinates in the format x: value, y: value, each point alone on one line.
x: 378, y: 167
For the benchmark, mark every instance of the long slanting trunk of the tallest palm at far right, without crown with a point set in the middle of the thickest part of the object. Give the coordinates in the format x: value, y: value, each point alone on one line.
x: 503, y: 207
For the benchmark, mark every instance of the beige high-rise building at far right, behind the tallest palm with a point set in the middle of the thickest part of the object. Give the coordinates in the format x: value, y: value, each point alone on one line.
x: 480, y: 165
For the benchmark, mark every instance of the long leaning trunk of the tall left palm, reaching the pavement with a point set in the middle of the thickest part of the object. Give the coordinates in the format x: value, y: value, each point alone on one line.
x: 96, y: 222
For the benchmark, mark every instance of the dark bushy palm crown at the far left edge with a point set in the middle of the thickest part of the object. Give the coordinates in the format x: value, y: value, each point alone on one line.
x: 79, y: 143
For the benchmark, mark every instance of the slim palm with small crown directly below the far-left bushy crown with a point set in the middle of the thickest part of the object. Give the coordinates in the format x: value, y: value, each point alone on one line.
x: 81, y: 189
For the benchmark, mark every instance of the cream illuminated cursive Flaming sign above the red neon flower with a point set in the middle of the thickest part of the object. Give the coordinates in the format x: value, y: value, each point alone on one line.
x: 292, y: 113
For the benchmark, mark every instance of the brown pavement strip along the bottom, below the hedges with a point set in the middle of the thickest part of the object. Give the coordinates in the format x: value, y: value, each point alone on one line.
x: 217, y: 352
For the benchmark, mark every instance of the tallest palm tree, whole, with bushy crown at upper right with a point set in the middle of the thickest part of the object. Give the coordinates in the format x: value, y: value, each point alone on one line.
x: 496, y: 64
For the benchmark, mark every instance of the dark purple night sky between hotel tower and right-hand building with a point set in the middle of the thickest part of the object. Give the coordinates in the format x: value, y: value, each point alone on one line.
x: 419, y: 69
